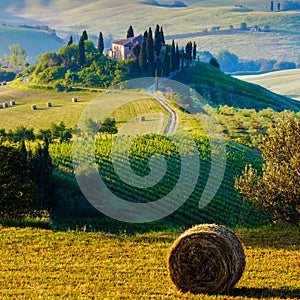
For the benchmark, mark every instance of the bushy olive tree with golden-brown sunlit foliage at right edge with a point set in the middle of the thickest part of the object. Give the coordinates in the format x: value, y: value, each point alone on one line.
x: 276, y: 186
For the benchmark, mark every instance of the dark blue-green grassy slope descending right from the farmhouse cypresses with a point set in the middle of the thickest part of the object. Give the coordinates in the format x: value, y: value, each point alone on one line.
x: 221, y: 89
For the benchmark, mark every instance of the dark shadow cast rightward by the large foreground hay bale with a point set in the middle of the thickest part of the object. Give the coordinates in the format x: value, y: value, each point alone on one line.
x: 283, y: 293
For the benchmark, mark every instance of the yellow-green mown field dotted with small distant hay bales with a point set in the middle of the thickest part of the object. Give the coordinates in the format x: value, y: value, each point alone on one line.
x: 64, y: 110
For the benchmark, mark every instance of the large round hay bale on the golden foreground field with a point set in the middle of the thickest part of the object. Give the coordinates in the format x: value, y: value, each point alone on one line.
x: 207, y: 258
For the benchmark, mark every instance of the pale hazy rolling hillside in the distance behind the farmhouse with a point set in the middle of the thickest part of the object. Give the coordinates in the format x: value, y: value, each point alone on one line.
x: 113, y: 19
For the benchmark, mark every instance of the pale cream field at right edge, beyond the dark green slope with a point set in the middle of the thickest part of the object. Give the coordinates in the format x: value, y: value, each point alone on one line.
x: 281, y: 82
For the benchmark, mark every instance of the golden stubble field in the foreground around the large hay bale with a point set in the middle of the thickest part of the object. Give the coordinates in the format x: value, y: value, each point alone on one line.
x: 42, y: 264
